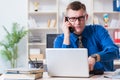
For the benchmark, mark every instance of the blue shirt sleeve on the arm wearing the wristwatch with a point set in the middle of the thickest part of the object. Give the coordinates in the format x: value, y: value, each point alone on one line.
x: 109, y: 50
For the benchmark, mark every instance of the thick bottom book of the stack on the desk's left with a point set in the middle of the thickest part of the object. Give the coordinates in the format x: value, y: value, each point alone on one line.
x: 22, y: 76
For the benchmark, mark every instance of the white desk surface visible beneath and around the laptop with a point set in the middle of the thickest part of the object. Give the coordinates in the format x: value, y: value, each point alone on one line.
x: 96, y: 77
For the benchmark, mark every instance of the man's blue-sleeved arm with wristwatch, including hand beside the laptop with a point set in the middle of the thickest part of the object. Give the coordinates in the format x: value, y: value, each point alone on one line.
x: 109, y: 51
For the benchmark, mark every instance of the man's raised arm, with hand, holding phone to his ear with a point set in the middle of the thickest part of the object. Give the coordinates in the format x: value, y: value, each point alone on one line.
x: 64, y: 40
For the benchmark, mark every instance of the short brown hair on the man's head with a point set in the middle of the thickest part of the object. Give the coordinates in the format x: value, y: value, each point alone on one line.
x: 76, y: 5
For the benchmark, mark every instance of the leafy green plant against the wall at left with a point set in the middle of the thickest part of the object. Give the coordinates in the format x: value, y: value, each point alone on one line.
x: 9, y: 49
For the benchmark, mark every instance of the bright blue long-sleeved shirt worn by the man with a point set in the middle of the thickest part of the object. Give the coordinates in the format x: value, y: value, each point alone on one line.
x: 97, y: 40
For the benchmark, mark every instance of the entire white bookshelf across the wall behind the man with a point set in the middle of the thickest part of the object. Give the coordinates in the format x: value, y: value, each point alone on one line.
x: 47, y: 16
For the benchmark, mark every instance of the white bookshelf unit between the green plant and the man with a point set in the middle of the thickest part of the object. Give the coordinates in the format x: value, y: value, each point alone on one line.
x: 42, y: 20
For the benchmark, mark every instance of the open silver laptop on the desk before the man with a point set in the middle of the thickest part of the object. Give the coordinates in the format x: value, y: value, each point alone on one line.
x: 67, y: 62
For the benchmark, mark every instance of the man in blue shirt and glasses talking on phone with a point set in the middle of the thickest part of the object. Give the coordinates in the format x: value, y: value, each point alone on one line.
x: 101, y: 49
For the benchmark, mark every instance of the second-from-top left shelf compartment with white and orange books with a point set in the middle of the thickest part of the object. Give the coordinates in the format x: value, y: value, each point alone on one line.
x: 43, y: 20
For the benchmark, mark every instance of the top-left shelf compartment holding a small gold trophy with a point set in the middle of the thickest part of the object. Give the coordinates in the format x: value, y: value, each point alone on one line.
x: 42, y: 5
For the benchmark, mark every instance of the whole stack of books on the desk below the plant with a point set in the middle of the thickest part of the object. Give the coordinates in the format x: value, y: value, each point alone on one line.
x: 23, y: 73
